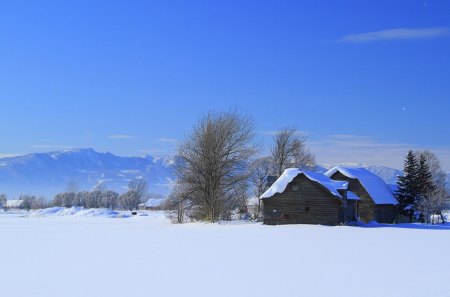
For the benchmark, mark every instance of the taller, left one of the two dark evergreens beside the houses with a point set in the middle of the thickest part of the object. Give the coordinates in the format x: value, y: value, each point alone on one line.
x: 408, y: 190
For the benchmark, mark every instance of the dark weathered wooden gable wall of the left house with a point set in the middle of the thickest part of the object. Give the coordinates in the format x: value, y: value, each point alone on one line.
x: 303, y: 202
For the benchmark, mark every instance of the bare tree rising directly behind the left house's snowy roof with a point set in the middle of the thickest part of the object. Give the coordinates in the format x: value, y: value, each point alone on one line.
x: 290, y: 150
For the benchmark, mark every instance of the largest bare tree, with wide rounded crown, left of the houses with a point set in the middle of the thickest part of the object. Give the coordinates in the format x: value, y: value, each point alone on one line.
x: 213, y: 158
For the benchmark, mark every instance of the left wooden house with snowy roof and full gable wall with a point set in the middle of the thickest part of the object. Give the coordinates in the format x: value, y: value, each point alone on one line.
x: 301, y: 197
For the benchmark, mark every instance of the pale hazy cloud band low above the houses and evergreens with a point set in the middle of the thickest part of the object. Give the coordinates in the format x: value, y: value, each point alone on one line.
x: 338, y: 149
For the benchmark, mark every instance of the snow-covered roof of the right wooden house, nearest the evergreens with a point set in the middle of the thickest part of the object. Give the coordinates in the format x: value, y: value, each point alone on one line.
x: 378, y: 190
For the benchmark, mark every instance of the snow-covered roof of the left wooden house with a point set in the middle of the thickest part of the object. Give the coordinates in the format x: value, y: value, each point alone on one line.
x: 289, y: 174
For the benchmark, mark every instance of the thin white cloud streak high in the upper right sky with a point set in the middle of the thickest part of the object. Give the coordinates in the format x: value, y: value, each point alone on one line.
x: 397, y: 34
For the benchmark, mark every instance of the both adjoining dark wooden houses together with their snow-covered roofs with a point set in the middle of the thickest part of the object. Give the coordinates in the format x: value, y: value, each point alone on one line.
x: 340, y: 196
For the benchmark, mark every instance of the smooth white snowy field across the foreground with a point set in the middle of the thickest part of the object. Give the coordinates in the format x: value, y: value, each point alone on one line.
x: 63, y: 253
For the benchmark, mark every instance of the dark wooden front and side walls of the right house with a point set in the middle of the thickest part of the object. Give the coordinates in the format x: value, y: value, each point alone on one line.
x: 367, y: 209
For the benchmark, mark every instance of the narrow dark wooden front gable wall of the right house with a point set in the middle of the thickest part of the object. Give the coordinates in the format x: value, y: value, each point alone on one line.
x: 366, y: 206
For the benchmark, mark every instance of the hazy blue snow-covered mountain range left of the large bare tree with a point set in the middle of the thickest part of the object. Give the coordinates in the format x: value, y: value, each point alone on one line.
x: 45, y: 174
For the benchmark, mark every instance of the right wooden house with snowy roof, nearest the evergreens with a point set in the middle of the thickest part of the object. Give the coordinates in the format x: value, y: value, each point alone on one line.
x: 376, y: 200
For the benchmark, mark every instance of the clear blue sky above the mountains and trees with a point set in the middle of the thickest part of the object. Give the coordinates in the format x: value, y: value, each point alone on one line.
x: 367, y: 80
